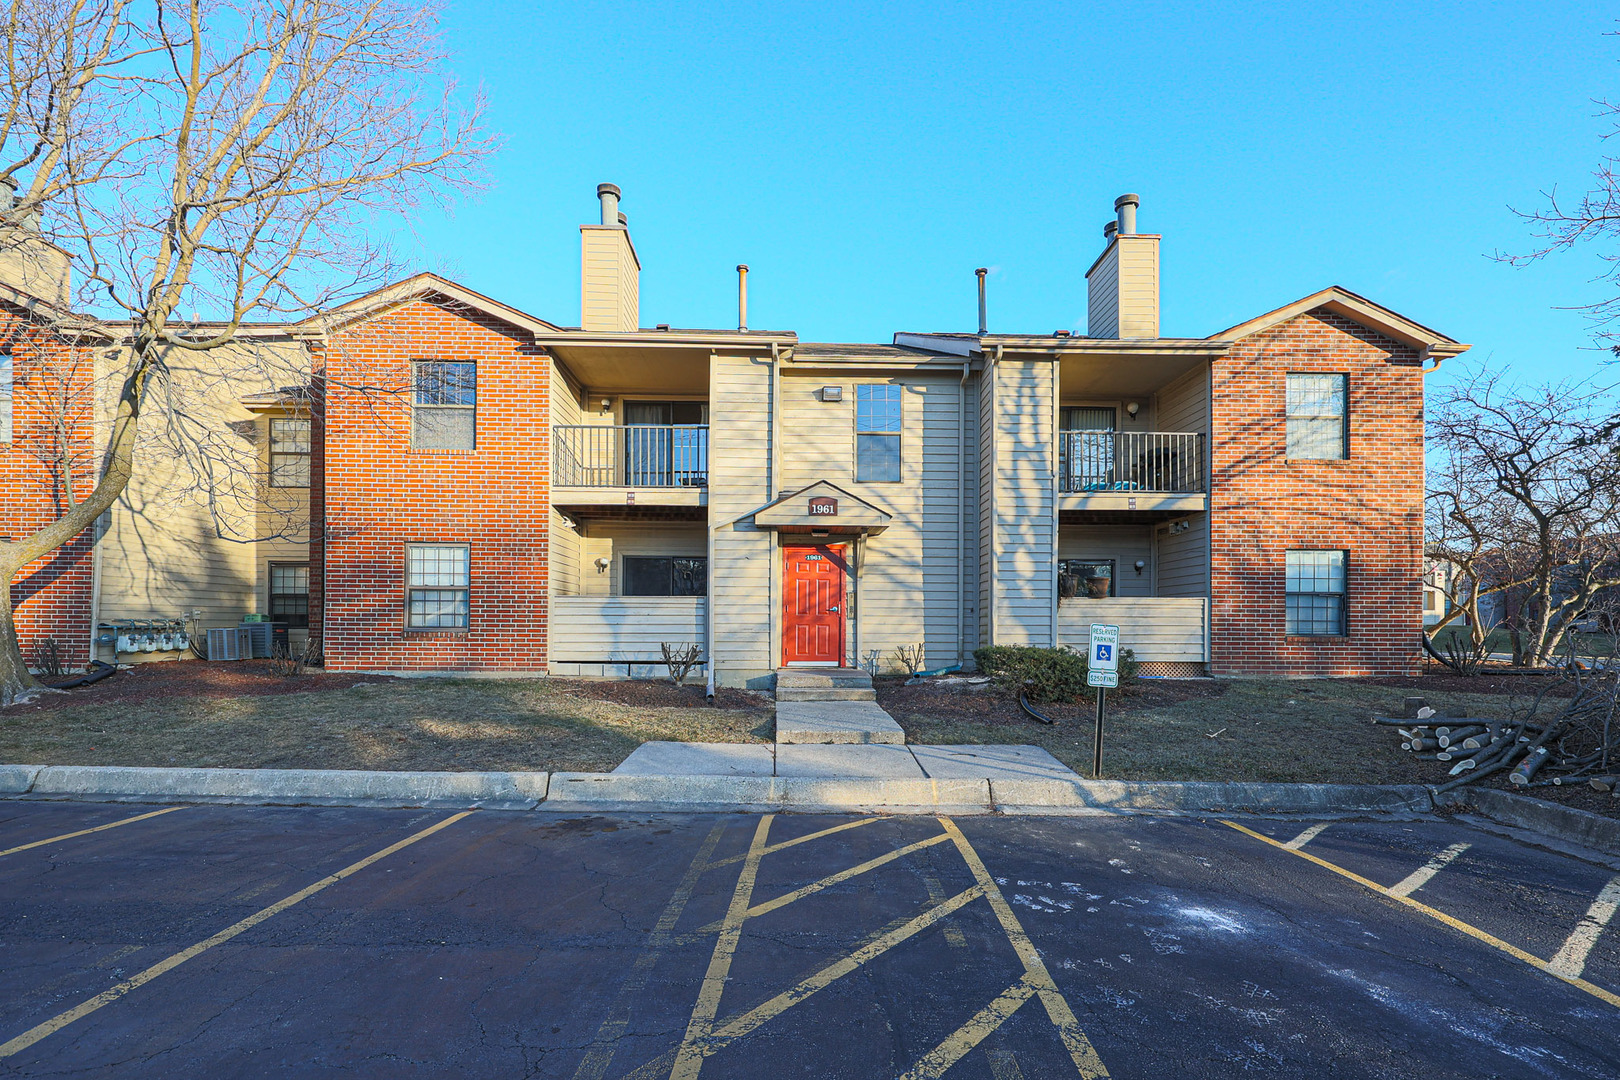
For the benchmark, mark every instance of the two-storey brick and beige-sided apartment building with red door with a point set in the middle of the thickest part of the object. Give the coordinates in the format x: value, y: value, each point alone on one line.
x: 477, y: 490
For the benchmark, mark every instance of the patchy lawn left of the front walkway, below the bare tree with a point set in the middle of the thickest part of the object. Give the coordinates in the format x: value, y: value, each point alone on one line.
x: 242, y: 716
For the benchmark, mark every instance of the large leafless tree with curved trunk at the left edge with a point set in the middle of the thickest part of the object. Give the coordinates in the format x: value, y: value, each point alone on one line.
x: 198, y: 155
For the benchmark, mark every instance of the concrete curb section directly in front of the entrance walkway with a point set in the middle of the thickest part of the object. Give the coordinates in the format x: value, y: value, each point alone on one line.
x: 600, y: 793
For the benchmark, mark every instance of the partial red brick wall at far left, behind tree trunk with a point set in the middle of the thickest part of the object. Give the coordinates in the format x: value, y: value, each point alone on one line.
x: 53, y: 386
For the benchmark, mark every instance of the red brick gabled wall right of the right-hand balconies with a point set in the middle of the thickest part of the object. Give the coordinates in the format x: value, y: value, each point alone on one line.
x: 1264, y: 504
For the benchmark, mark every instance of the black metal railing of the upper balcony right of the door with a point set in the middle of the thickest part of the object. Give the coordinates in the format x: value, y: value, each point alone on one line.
x: 1132, y: 461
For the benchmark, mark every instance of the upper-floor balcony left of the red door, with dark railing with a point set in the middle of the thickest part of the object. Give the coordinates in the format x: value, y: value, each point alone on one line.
x: 629, y: 464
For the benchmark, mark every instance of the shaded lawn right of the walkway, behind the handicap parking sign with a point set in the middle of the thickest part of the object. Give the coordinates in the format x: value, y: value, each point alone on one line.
x: 1251, y: 729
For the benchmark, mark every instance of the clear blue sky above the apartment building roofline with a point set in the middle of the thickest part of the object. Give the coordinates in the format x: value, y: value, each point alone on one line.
x: 866, y: 158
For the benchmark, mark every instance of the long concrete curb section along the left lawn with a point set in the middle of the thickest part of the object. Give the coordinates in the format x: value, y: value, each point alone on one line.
x: 320, y: 788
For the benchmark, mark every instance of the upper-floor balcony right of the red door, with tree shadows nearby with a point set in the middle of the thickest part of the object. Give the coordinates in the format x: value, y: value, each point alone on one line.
x: 1132, y: 470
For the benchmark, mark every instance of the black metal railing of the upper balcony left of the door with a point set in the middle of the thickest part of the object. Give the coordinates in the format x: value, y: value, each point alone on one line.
x: 634, y: 456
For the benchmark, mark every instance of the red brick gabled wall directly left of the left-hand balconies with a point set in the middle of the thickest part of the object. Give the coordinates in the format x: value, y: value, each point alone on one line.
x: 377, y: 495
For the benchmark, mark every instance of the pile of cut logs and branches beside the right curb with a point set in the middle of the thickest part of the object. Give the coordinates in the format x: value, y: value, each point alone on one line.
x: 1577, y: 742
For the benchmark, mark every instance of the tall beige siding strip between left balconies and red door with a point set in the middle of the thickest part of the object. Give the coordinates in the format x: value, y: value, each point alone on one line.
x: 743, y: 571
